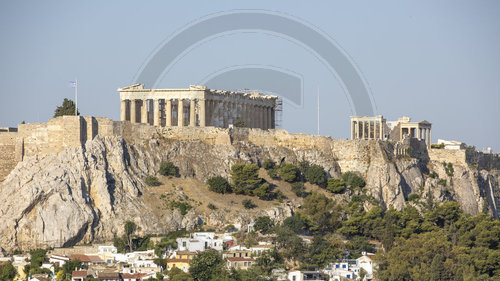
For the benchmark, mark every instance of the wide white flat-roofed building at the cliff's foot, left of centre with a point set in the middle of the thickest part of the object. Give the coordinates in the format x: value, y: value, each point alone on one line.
x: 200, y: 241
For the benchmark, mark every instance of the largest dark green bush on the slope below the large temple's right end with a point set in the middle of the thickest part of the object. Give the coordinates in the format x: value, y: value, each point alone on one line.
x: 245, y: 178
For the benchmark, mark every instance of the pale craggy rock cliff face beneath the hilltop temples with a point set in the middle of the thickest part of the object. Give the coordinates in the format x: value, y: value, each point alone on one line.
x: 85, y: 193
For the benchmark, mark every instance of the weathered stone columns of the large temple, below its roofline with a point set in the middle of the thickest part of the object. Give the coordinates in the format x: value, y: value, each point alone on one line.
x: 220, y: 113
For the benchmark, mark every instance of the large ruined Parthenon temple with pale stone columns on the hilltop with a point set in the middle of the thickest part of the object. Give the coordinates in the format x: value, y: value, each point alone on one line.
x: 198, y: 106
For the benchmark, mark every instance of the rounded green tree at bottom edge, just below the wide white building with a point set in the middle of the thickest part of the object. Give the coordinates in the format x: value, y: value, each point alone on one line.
x: 206, y: 265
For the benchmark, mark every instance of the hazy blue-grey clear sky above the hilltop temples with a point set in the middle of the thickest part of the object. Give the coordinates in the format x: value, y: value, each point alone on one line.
x: 430, y: 60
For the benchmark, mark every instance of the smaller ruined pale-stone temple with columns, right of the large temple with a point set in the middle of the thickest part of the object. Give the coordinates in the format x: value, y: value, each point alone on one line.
x: 376, y: 127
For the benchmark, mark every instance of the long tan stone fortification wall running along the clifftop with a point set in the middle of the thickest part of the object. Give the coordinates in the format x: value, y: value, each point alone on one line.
x: 58, y: 134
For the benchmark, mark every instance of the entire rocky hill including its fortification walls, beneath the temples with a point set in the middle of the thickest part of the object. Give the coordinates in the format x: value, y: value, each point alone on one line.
x: 76, y: 179
